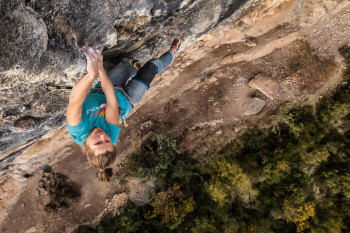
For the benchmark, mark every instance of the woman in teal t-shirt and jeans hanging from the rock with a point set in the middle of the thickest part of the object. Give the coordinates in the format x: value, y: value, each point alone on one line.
x: 95, y: 113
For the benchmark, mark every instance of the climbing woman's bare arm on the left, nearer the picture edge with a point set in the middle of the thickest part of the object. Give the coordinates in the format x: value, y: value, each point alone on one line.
x: 80, y: 90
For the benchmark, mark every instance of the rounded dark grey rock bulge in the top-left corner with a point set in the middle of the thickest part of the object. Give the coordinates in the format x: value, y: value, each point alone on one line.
x: 25, y: 37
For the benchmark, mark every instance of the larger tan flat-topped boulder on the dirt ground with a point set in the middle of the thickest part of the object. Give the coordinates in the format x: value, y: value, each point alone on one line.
x: 266, y: 85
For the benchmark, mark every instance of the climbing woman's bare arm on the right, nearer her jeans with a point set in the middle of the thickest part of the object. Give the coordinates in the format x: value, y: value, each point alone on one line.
x: 112, y: 104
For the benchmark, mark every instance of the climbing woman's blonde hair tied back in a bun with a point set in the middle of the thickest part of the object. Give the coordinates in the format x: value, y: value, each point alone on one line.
x: 102, y: 162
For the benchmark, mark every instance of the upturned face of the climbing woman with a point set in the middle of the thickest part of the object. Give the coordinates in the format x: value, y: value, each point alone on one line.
x: 99, y: 142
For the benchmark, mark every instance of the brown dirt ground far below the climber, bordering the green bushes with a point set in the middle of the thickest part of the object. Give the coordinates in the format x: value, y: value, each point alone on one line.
x: 193, y: 99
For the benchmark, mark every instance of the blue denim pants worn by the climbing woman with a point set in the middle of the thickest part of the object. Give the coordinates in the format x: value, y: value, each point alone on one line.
x: 134, y: 83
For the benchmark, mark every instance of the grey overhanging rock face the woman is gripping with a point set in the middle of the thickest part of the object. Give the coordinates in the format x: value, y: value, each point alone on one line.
x: 41, y: 46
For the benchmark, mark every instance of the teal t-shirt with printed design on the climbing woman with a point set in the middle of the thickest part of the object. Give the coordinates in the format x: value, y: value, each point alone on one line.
x: 93, y: 115
